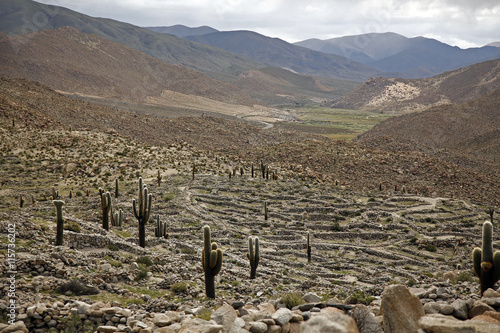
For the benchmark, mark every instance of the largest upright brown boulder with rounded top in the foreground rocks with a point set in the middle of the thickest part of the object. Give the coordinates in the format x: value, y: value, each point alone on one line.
x: 401, y: 310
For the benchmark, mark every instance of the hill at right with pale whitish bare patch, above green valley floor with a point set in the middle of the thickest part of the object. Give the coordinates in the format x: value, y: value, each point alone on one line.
x: 396, y: 95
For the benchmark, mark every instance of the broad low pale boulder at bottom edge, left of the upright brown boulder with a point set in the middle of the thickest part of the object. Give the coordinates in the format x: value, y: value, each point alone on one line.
x: 335, y: 323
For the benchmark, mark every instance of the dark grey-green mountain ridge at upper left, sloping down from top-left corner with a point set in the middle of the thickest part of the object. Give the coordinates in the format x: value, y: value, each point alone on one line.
x: 17, y: 17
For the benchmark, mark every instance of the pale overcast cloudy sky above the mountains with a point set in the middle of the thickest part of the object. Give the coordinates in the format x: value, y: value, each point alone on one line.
x: 464, y: 23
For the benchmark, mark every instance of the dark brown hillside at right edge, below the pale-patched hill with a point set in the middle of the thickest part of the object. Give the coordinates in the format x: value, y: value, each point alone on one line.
x: 468, y: 132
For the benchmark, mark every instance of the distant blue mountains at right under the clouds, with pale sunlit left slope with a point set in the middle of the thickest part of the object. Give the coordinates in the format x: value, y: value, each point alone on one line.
x: 399, y: 56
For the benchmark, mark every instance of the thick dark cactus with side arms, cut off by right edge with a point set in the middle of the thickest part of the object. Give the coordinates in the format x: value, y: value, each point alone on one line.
x: 486, y: 263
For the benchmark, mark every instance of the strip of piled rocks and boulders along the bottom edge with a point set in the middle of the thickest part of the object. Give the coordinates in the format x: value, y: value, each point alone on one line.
x: 399, y: 309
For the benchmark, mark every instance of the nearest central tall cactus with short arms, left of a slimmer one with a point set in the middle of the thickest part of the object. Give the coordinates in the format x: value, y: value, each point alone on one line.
x: 211, y: 259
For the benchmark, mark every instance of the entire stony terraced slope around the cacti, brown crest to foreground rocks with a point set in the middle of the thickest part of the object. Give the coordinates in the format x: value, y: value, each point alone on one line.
x: 366, y: 236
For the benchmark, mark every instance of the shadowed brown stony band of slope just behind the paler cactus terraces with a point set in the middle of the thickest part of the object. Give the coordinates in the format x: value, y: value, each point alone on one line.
x: 292, y: 154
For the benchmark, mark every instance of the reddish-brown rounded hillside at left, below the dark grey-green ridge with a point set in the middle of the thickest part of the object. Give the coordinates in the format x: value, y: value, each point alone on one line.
x: 70, y: 61
